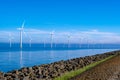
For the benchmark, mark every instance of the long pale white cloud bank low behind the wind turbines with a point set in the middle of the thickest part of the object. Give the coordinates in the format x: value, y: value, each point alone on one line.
x: 37, y: 35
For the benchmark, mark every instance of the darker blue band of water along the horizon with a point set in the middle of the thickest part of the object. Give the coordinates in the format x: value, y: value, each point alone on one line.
x: 56, y: 46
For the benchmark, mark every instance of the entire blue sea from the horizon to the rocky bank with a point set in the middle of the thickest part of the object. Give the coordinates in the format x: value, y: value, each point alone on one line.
x: 12, y: 58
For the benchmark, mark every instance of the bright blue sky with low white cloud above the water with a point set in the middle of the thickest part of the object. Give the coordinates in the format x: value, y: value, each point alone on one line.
x: 90, y: 18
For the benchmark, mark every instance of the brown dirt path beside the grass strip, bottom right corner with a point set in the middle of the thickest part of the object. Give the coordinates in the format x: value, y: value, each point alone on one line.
x: 108, y: 70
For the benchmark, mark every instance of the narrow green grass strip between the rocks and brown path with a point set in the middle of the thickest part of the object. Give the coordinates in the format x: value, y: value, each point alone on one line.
x: 71, y: 74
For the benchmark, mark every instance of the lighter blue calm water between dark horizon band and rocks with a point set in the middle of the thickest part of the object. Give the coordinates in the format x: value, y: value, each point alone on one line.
x: 16, y: 60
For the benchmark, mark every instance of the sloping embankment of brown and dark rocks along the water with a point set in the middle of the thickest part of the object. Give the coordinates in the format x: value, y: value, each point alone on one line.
x: 50, y: 71
